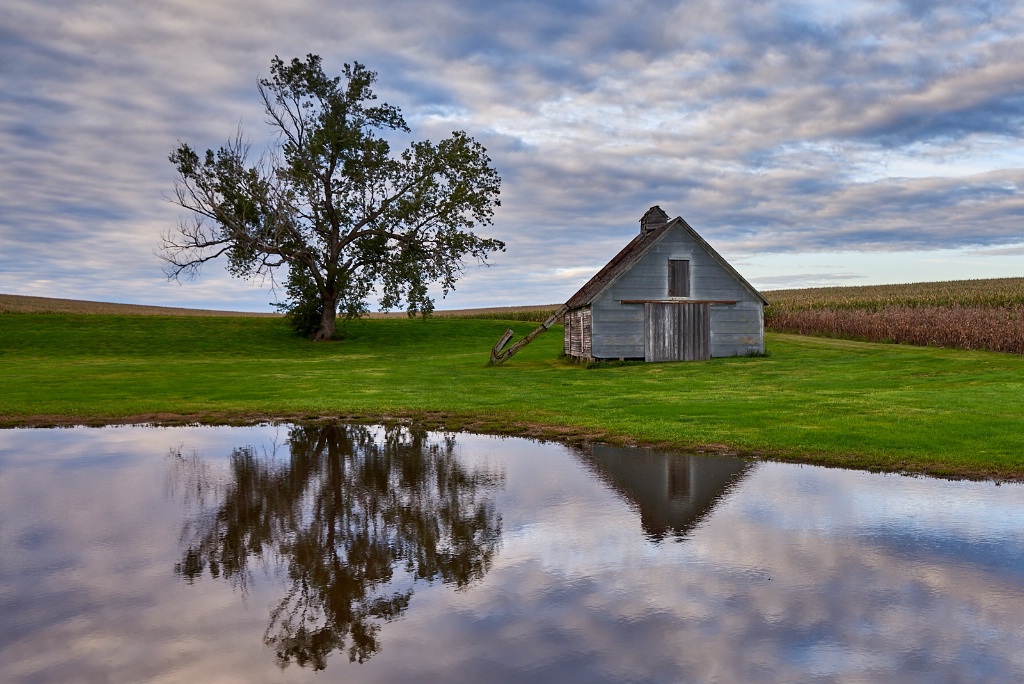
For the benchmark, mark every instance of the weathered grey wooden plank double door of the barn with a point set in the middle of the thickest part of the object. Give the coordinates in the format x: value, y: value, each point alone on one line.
x: 677, y: 331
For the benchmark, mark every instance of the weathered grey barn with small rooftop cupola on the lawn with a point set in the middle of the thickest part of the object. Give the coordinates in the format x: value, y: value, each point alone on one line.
x: 666, y: 296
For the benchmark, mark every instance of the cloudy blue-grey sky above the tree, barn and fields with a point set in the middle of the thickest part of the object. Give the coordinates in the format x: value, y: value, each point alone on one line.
x: 812, y: 144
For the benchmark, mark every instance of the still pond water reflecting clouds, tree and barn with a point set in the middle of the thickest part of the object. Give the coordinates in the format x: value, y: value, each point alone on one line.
x: 363, y: 554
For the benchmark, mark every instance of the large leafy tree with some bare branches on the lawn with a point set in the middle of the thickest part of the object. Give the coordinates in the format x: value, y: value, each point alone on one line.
x: 332, y: 204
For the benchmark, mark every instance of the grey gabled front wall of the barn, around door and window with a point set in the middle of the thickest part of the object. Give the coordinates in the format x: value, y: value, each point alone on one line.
x: 618, y: 329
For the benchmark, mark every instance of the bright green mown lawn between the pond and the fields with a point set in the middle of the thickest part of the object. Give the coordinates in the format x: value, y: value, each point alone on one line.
x: 872, y: 406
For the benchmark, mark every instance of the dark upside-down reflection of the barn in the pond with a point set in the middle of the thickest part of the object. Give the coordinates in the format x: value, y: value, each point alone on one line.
x: 673, y: 492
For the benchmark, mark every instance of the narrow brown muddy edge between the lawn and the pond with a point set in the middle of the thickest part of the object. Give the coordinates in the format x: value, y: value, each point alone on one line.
x: 440, y: 421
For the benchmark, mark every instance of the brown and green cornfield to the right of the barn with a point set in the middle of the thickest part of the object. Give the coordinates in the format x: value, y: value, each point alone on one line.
x: 966, y: 315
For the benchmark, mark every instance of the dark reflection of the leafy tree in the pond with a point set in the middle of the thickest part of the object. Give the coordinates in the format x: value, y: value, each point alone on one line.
x: 350, y: 507
